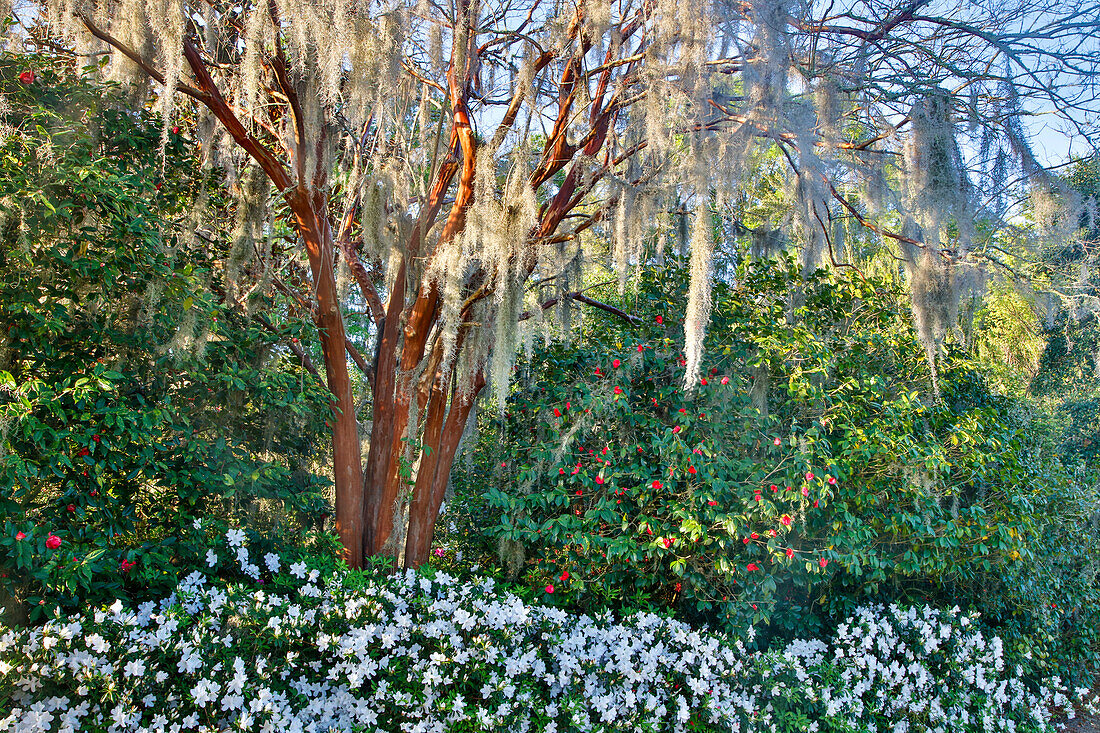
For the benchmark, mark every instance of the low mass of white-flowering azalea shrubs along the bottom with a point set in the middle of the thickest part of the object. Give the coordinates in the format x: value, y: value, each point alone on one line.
x: 433, y: 655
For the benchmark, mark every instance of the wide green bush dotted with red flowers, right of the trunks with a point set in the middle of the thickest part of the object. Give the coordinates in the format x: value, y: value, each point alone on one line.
x: 809, y: 471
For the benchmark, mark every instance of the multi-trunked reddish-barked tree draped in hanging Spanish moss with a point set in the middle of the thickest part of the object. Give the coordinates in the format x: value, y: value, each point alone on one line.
x: 464, y: 161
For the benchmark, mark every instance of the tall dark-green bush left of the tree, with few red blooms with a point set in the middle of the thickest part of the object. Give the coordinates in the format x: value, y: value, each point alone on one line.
x: 130, y: 401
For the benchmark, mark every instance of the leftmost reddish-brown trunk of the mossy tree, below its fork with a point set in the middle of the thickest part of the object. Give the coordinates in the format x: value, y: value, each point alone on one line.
x: 312, y: 216
